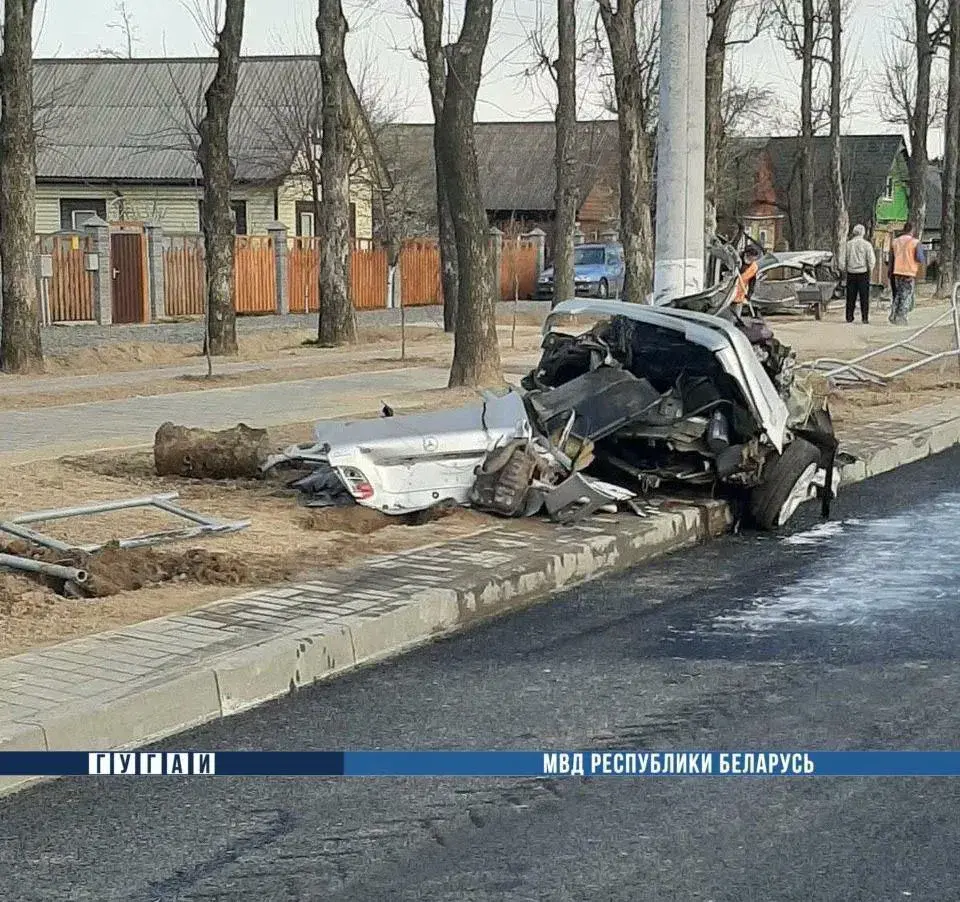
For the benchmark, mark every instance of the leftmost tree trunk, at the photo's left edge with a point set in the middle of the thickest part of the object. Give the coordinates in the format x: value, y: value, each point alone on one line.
x: 20, y: 349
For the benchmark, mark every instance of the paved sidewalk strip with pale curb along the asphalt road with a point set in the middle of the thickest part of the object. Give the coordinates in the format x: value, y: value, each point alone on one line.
x: 129, y: 686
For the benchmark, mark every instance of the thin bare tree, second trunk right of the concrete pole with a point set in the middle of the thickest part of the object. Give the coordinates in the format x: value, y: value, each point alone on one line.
x: 802, y: 28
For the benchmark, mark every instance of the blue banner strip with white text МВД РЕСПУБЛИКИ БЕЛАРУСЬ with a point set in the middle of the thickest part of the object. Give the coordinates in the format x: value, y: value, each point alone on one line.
x: 619, y: 763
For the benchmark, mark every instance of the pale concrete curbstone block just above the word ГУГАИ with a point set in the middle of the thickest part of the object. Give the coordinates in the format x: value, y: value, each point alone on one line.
x: 147, y: 714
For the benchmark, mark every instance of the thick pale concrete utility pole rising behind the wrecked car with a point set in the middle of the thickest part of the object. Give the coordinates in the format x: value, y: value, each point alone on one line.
x: 680, y: 240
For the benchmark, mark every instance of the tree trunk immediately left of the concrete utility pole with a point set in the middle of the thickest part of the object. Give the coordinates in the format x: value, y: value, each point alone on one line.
x: 636, y: 228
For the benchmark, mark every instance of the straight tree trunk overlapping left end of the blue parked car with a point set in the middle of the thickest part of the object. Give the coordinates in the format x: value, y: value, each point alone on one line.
x: 566, y: 197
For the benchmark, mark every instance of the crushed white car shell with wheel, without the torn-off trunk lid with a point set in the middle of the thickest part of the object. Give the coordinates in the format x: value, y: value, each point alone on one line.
x: 677, y: 396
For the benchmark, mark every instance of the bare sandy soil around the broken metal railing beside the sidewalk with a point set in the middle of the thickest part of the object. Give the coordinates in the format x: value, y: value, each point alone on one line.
x: 283, y: 540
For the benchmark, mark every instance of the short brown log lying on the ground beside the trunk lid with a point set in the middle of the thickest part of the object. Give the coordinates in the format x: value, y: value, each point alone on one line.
x: 201, y: 454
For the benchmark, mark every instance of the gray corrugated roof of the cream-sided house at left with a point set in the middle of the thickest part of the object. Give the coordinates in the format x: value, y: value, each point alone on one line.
x: 133, y: 119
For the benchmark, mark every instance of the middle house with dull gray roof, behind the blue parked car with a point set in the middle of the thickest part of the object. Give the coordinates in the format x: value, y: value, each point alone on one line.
x: 517, y: 174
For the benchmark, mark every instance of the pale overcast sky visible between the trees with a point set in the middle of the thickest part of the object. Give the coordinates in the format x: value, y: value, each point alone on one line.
x: 382, y: 35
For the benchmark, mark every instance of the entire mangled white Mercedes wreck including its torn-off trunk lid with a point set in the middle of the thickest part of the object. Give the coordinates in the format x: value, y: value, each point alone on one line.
x: 634, y: 398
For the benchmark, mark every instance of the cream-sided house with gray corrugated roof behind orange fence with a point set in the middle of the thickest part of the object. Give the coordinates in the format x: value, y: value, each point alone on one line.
x: 117, y: 139
